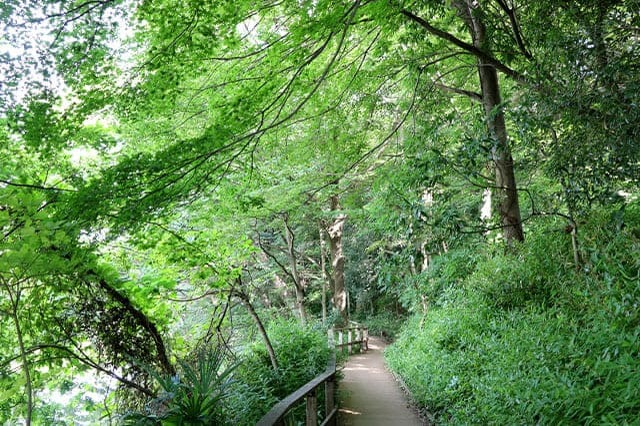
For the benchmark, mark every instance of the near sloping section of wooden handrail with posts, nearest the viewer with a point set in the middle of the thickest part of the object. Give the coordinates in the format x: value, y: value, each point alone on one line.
x: 308, y: 391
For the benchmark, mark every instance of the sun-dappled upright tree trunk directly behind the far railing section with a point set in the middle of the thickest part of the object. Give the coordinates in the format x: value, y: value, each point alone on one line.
x: 337, y: 259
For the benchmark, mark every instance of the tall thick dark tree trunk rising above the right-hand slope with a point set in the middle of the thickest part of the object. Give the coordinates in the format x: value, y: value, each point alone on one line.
x: 505, y: 185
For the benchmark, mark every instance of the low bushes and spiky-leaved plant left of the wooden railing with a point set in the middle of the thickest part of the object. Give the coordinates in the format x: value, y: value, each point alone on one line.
x: 213, y: 390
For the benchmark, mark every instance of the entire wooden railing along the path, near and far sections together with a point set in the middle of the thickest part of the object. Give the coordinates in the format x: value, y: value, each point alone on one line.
x: 355, y: 335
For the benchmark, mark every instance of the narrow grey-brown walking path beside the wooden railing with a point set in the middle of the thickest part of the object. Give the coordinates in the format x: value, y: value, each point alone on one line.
x: 370, y: 395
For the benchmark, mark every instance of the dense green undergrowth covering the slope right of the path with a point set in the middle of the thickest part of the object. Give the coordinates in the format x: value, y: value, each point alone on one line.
x: 528, y: 339
